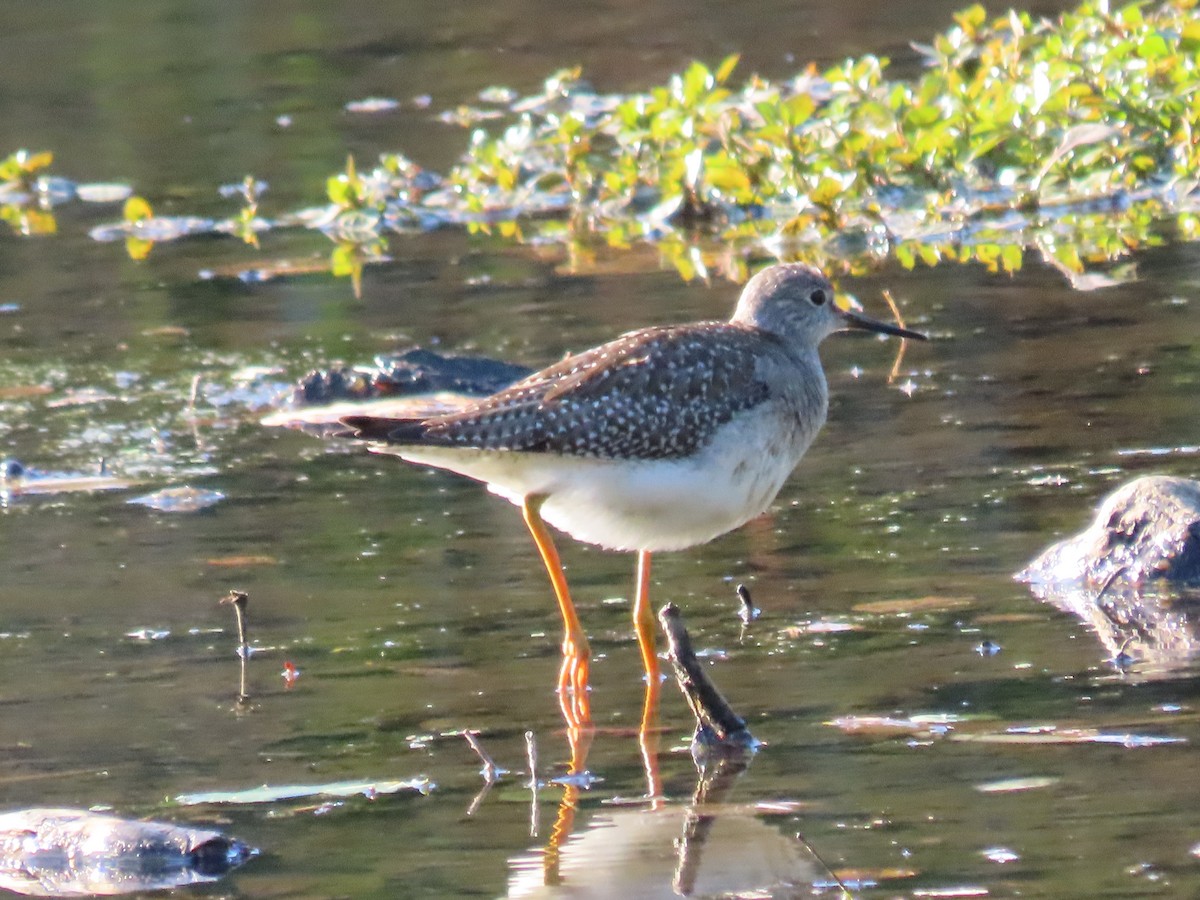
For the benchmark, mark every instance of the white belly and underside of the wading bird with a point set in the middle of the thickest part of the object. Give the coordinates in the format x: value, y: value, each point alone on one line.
x: 653, y: 506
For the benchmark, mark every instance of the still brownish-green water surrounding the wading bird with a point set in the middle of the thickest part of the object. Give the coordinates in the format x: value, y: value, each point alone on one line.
x: 413, y: 604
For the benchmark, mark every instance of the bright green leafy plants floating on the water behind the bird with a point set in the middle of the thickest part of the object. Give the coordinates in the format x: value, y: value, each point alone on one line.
x: 1070, y: 139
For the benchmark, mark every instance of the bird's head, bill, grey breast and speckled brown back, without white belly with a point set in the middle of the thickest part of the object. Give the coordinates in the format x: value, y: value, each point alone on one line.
x: 661, y: 393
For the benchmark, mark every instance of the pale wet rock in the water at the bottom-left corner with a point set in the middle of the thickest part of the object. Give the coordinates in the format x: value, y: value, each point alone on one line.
x: 67, y: 853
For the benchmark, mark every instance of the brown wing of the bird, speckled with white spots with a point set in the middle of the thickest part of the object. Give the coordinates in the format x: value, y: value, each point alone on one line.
x: 656, y: 394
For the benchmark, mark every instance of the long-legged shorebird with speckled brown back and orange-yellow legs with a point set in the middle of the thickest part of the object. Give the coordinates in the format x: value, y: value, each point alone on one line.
x: 661, y: 440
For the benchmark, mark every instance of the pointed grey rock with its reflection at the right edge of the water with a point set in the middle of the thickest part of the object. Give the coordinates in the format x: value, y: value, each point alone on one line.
x: 1133, y: 574
